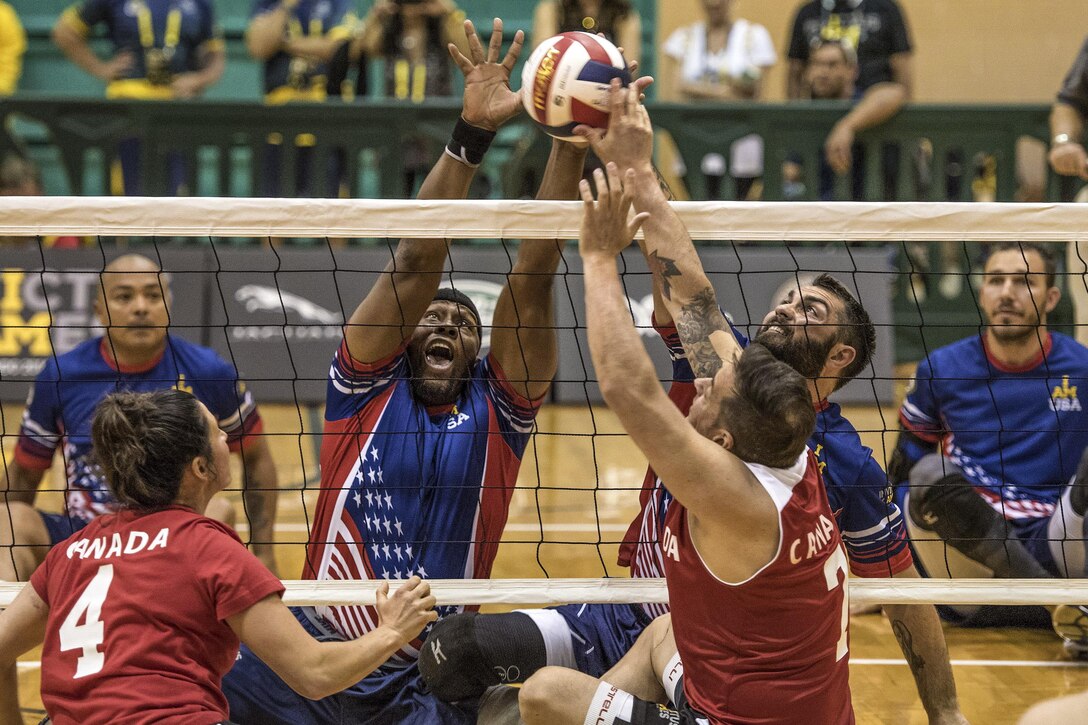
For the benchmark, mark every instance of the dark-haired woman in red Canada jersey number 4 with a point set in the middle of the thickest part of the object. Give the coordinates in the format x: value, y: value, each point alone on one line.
x: 142, y: 612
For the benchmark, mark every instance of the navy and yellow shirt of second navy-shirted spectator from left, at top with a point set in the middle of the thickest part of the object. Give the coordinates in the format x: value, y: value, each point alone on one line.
x: 310, y: 19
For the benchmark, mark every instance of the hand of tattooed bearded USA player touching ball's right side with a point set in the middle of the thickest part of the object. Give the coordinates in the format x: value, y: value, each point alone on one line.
x: 629, y: 140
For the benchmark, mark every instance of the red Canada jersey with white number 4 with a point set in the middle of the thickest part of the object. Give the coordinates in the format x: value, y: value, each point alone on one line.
x: 138, y: 619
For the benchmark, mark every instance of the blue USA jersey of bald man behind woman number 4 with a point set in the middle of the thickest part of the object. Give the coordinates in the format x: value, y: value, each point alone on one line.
x: 66, y: 394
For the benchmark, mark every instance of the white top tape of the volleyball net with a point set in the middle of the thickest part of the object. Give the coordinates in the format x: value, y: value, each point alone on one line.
x: 740, y: 222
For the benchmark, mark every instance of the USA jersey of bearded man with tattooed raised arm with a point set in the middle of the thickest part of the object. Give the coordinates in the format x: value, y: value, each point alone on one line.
x: 871, y: 523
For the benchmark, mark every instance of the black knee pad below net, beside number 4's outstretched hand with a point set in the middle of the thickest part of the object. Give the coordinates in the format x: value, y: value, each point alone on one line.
x: 467, y: 654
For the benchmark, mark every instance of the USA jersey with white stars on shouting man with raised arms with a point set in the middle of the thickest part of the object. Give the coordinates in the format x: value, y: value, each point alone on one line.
x: 411, y: 490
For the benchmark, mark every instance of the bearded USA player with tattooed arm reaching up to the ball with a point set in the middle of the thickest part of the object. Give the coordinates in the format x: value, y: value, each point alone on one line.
x: 821, y: 330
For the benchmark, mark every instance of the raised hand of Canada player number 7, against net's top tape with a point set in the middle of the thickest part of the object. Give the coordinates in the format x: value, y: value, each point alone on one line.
x: 605, y: 228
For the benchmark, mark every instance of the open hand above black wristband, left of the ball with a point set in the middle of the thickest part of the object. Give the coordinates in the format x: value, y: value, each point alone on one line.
x: 489, y: 102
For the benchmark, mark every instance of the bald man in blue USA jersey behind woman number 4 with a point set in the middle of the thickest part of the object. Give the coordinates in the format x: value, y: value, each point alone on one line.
x: 137, y: 353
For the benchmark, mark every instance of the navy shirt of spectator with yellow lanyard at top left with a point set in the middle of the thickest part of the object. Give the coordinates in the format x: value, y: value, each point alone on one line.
x: 193, y: 22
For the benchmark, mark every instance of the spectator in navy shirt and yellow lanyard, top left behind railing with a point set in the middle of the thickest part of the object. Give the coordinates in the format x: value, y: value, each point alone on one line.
x: 162, y: 51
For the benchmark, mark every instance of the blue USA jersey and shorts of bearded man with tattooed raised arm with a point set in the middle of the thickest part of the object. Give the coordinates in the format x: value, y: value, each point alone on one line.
x: 858, y: 490
